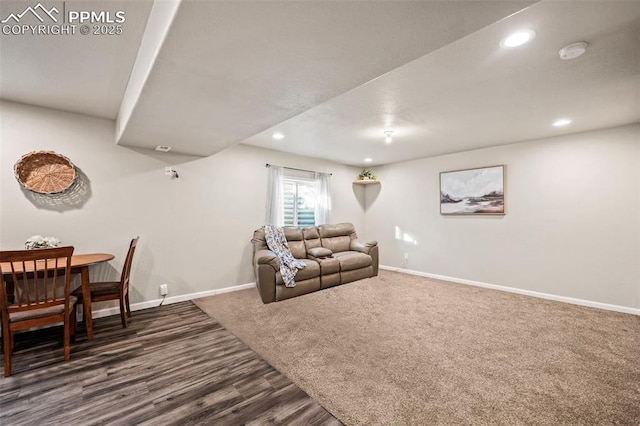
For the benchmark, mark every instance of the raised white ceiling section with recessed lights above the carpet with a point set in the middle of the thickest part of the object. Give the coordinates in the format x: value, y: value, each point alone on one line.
x: 472, y: 93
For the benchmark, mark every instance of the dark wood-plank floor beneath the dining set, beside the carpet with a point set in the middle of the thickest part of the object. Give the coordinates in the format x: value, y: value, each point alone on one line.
x: 173, y: 365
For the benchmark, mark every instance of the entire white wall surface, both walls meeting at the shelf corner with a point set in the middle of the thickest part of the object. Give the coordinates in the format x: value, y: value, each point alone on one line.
x: 572, y: 226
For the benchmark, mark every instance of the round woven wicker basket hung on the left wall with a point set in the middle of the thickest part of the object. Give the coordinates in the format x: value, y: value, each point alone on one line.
x: 45, y: 172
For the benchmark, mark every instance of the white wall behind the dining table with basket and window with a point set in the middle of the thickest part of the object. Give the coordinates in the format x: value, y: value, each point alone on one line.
x: 195, y: 231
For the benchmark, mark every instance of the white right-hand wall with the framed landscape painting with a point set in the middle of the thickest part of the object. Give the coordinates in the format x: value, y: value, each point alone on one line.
x: 572, y: 226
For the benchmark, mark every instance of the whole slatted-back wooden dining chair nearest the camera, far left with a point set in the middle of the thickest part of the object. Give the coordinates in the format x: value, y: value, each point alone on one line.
x: 40, y: 295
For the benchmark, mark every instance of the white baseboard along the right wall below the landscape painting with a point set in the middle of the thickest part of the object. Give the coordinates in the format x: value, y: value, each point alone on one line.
x: 589, y: 303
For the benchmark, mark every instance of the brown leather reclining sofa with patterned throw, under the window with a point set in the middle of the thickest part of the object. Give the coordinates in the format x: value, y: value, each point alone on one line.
x: 332, y: 254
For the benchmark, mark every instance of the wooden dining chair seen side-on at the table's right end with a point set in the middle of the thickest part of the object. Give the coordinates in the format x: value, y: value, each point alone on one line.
x: 114, y: 290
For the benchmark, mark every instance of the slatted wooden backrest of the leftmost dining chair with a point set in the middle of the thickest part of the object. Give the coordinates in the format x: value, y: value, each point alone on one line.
x: 37, y: 278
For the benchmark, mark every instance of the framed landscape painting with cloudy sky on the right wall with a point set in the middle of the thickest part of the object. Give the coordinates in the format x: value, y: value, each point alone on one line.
x: 472, y: 191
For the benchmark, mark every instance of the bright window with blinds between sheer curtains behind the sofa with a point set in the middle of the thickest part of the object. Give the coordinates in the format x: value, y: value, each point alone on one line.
x: 299, y: 202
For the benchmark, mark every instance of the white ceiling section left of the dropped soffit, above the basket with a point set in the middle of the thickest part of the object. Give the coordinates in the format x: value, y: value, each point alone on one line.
x: 86, y: 74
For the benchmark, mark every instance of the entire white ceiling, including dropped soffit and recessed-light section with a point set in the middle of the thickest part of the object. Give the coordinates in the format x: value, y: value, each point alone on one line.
x: 332, y: 76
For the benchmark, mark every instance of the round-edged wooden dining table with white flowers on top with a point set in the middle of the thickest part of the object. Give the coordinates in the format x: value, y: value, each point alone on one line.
x: 79, y: 265
